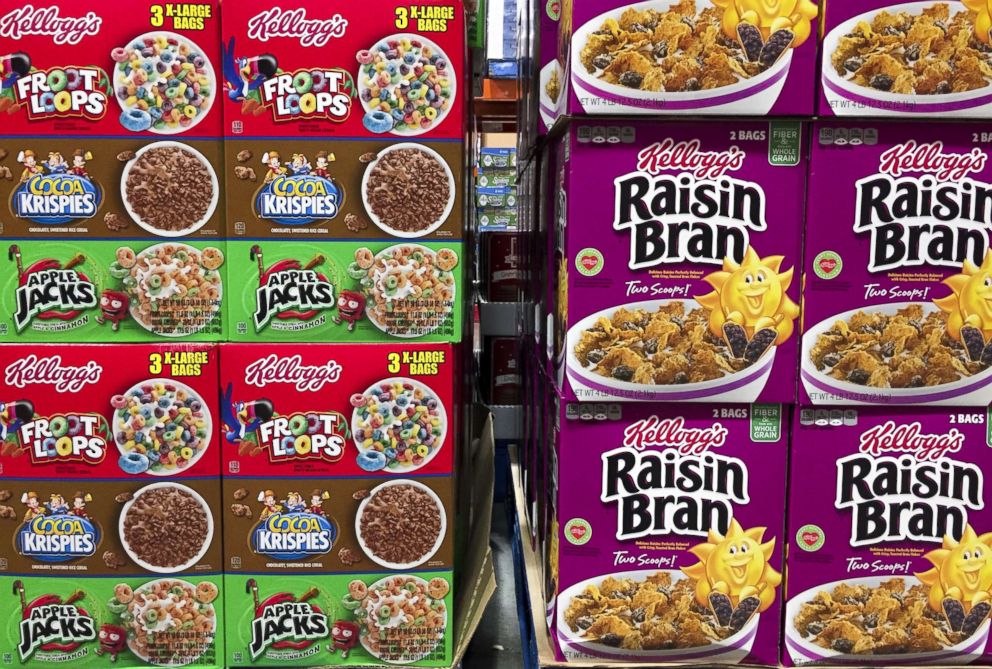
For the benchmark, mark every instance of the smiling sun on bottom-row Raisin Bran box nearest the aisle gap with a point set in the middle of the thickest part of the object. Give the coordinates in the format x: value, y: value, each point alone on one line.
x: 733, y: 576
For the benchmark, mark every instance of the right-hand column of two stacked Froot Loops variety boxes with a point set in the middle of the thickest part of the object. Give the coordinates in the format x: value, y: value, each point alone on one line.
x: 344, y: 164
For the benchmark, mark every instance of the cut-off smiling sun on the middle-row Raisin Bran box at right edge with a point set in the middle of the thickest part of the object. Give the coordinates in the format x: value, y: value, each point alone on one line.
x: 969, y: 307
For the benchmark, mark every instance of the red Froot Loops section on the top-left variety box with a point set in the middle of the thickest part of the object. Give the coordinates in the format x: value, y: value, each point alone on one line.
x: 111, y: 69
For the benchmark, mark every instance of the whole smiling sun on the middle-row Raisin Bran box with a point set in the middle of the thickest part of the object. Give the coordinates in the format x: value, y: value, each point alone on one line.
x: 749, y: 307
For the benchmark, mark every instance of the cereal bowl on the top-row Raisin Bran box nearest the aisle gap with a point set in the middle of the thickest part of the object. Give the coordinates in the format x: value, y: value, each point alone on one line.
x: 617, y: 71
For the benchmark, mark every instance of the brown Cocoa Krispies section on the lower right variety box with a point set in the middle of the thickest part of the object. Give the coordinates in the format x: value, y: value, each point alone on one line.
x: 352, y: 525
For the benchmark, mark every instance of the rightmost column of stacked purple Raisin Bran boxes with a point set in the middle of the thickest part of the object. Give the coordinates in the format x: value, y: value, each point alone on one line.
x: 889, y: 546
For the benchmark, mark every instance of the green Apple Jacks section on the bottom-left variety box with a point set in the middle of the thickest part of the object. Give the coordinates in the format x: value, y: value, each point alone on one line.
x: 115, y: 621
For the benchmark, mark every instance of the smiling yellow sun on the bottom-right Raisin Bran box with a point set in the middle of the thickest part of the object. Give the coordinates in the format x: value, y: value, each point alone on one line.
x: 961, y: 579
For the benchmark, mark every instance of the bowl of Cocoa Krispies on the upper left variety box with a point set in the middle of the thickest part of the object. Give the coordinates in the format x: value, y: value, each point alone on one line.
x: 170, y: 189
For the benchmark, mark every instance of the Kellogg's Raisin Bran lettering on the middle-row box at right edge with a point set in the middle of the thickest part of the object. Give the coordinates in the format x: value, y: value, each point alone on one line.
x: 939, y: 217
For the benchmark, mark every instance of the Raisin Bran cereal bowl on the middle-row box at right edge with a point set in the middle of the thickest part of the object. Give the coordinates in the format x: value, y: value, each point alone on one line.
x: 896, y: 353
